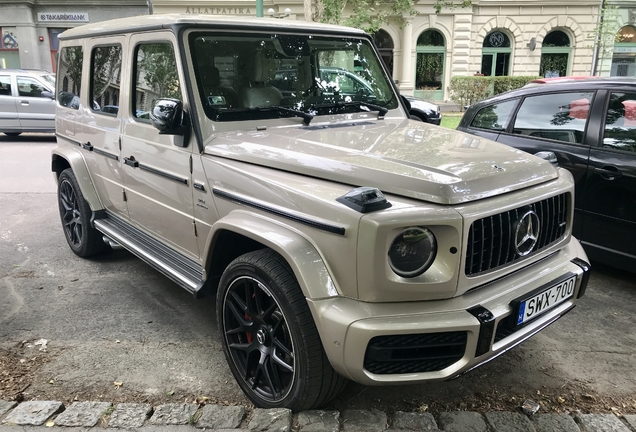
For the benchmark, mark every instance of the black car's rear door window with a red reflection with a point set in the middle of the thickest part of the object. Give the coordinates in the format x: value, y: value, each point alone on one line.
x: 558, y: 116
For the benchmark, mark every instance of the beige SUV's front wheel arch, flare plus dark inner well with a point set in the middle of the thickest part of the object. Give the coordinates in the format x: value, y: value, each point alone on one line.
x: 241, y: 232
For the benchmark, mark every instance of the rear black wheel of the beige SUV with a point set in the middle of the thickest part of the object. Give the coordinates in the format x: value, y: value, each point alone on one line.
x: 75, y: 214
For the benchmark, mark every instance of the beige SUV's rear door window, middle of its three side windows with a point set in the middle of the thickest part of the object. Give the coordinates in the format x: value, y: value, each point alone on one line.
x: 105, y: 79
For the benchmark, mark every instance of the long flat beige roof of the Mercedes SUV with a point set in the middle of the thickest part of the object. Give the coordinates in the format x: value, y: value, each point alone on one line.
x: 161, y: 21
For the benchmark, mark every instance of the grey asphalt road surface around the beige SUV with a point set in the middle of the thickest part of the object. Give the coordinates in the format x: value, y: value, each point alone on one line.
x: 115, y: 320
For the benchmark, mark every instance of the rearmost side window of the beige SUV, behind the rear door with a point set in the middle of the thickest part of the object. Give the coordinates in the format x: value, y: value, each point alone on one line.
x: 69, y: 80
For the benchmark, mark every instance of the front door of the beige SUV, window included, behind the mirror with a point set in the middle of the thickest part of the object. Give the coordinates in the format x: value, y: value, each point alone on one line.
x: 157, y: 168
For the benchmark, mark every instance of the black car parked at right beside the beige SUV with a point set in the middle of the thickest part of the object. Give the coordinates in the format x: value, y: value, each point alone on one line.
x: 590, y: 124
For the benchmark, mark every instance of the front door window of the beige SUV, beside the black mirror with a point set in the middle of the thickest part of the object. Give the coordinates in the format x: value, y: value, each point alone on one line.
x: 155, y: 77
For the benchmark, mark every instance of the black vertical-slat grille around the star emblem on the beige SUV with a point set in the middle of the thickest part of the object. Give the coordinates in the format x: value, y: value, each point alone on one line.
x: 491, y: 240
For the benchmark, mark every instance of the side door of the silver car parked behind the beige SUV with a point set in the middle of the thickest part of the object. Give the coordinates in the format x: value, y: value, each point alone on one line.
x: 36, y: 108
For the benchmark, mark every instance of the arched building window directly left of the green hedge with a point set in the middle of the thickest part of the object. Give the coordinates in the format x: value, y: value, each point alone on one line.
x: 429, y: 67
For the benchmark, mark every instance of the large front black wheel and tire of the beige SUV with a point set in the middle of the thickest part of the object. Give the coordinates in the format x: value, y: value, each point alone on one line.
x: 269, y: 337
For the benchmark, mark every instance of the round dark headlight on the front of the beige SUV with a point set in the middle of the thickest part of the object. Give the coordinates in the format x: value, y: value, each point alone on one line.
x: 412, y: 252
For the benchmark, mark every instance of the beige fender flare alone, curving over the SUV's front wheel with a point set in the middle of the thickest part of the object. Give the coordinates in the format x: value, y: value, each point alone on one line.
x: 308, y: 266
